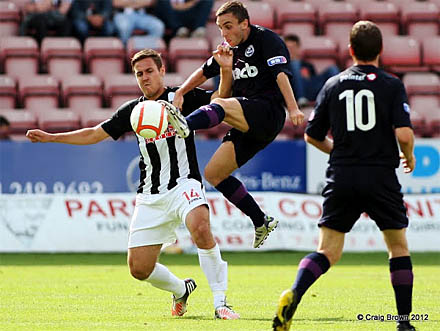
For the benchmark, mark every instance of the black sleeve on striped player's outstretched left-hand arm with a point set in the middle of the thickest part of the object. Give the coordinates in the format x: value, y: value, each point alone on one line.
x: 119, y: 123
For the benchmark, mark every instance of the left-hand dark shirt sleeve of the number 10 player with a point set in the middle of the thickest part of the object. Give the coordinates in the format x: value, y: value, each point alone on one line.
x: 319, y: 121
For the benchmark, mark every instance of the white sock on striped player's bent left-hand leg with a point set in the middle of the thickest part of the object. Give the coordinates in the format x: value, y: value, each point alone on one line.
x: 164, y: 279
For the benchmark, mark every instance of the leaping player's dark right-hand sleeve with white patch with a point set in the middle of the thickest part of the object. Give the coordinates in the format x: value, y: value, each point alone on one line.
x: 276, y: 54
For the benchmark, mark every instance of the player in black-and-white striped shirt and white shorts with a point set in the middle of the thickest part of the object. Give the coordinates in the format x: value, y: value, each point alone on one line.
x: 169, y: 174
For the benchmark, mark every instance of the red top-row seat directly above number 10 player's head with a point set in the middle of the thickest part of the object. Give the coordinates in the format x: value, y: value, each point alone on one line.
x: 384, y: 14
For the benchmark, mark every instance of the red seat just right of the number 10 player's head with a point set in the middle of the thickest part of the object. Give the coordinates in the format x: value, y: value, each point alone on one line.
x: 401, y: 54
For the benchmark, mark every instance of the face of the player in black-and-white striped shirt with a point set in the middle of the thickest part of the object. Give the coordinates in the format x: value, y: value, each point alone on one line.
x: 149, y: 78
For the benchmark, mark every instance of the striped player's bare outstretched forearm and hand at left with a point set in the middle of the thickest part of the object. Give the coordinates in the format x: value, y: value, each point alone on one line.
x: 86, y: 136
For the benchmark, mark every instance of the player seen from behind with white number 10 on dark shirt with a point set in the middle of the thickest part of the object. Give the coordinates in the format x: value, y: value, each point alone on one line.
x: 366, y: 109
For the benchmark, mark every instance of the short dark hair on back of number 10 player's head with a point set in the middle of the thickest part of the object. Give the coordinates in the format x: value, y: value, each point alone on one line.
x: 366, y: 40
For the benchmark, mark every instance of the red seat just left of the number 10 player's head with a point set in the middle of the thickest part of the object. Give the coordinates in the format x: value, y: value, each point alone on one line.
x: 320, y: 50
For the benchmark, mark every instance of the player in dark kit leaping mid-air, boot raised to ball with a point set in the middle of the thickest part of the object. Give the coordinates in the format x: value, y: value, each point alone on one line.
x: 254, y: 91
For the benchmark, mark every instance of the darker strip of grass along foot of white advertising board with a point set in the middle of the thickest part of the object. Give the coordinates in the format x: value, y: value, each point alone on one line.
x: 233, y: 258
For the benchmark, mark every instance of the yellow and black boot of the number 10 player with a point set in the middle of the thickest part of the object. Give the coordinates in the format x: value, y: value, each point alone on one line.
x: 286, y: 308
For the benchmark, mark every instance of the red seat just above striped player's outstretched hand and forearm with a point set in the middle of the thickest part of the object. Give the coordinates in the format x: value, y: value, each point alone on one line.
x: 57, y: 120
